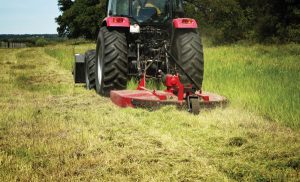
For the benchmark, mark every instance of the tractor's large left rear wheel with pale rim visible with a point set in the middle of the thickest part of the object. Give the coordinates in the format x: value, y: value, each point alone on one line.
x: 111, y: 61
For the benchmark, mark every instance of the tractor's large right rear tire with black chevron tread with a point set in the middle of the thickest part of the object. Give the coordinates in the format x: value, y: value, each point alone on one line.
x: 188, y: 50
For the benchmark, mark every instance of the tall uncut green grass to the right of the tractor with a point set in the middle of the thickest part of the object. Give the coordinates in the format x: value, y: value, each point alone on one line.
x: 264, y: 79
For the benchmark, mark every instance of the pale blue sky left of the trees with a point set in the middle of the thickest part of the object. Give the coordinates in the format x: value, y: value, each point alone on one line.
x: 28, y: 16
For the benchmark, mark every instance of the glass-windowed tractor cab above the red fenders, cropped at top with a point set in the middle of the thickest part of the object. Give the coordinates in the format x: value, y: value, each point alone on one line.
x: 146, y: 11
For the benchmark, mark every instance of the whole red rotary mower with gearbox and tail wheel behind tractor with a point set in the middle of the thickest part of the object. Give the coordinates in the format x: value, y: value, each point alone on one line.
x: 175, y: 94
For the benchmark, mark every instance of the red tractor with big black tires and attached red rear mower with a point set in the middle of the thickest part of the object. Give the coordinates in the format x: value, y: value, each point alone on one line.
x: 146, y: 39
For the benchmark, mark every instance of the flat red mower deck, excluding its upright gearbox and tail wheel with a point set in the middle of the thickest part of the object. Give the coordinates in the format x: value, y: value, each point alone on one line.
x: 154, y: 99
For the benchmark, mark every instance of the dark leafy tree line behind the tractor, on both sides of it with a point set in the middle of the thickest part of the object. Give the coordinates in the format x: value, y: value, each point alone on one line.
x: 223, y: 21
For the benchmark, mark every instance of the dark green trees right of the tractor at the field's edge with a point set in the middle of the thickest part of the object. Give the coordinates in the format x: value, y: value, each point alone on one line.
x: 257, y: 20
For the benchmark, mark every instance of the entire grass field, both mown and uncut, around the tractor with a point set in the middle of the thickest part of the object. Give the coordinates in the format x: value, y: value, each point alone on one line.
x: 54, y: 131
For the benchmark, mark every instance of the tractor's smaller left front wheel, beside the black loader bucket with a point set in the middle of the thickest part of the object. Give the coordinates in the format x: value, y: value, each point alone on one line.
x: 90, y: 61
